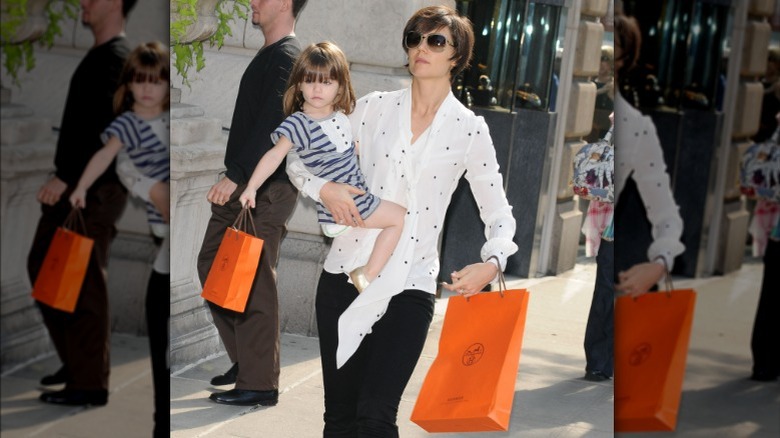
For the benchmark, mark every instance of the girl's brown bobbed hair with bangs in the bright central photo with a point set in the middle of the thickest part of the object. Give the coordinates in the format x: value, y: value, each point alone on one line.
x: 319, y: 62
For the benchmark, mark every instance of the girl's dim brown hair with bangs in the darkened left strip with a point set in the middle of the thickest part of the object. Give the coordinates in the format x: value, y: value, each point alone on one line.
x: 149, y: 61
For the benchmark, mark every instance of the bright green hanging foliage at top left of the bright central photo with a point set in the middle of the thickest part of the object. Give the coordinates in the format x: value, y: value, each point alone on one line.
x: 190, y: 54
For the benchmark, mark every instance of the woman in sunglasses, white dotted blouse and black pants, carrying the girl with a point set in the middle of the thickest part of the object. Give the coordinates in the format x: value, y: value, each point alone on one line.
x: 415, y: 145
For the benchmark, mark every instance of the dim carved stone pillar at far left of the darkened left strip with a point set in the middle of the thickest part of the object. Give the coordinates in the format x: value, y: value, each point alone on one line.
x: 27, y: 156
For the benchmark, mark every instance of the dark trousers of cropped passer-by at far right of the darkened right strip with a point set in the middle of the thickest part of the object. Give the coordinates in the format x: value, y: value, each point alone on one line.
x: 763, y: 344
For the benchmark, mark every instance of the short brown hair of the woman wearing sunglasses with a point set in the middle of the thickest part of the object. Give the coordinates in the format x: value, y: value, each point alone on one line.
x: 435, y: 17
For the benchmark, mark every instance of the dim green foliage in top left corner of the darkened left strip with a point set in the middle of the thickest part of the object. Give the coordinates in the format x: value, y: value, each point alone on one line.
x: 17, y: 55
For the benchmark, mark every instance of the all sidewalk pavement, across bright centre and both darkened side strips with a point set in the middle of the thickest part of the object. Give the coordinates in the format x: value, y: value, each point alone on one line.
x: 551, y: 399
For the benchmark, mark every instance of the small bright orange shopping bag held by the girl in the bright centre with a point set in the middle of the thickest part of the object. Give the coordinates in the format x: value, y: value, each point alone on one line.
x: 235, y: 265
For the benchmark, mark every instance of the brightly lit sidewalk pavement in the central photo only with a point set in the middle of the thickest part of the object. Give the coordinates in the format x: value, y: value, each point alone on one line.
x: 551, y: 399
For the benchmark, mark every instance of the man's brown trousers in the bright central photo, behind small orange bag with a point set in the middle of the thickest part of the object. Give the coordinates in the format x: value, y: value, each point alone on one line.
x: 251, y: 338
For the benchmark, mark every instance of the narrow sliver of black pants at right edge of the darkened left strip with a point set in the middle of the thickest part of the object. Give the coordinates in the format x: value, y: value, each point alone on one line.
x: 158, y: 313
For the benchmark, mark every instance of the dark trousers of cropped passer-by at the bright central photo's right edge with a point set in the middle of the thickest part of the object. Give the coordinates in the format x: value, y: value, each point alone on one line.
x: 599, y: 332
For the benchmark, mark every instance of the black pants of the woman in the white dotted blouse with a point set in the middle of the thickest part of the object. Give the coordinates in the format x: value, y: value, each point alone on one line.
x: 362, y: 398
